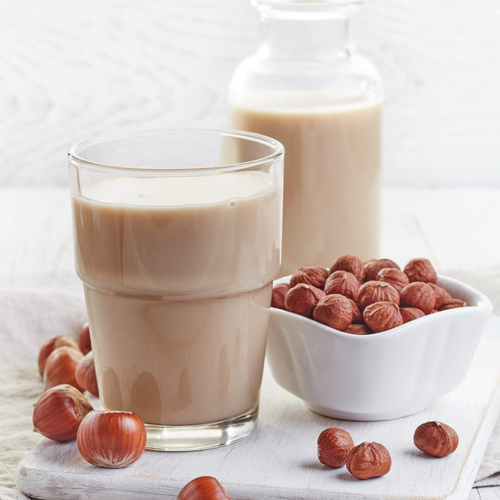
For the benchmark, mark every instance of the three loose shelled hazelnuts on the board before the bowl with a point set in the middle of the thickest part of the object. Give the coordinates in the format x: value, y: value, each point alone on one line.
x: 369, y: 459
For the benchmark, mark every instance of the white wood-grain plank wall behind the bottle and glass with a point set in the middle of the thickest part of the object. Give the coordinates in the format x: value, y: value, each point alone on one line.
x: 72, y: 69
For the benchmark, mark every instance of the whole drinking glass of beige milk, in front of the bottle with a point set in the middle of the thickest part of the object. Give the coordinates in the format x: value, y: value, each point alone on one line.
x: 177, y: 241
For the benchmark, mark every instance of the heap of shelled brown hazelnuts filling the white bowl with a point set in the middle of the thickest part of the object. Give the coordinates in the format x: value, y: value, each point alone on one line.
x: 362, y: 298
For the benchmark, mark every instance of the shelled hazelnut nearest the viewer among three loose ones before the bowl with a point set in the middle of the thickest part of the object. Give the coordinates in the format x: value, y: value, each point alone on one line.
x: 368, y: 460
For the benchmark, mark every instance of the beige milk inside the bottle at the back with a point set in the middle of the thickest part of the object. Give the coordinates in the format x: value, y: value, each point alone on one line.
x: 332, y: 172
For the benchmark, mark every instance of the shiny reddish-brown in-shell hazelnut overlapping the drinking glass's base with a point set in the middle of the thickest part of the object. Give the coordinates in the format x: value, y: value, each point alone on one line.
x: 111, y: 439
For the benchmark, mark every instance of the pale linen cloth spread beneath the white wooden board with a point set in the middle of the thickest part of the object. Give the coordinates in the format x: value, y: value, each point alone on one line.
x: 27, y: 319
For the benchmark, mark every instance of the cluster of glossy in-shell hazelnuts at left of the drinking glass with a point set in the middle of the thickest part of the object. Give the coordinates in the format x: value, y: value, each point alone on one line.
x: 108, y: 439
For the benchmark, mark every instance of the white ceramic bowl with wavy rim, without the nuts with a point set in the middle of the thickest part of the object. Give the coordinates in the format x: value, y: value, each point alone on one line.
x: 381, y: 376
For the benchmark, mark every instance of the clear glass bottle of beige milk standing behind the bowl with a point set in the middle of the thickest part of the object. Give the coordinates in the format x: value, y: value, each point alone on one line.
x: 307, y: 88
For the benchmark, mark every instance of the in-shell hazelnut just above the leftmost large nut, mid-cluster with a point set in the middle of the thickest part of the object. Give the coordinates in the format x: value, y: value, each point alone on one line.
x: 60, y: 367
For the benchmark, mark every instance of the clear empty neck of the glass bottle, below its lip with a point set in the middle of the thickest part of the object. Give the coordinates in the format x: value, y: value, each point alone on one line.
x: 305, y: 39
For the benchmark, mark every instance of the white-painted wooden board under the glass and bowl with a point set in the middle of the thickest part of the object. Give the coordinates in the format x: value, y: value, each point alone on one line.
x: 278, y: 461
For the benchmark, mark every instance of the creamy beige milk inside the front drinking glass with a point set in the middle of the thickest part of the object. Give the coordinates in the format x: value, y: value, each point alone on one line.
x: 177, y: 274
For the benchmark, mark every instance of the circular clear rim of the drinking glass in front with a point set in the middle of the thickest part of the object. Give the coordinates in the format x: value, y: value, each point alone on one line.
x: 76, y: 159
